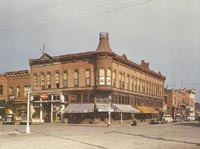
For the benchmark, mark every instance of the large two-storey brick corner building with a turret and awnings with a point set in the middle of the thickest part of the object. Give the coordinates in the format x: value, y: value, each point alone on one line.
x: 87, y: 82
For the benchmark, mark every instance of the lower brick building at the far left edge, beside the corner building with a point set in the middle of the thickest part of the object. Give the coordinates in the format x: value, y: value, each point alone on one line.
x: 13, y: 91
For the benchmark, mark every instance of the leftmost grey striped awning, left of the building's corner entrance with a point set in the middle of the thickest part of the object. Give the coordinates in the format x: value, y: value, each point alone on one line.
x: 79, y: 108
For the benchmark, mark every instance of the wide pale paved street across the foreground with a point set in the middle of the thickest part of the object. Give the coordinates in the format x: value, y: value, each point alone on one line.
x: 176, y: 135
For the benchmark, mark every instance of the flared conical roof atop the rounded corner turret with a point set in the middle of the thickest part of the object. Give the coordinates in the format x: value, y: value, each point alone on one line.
x: 104, y: 43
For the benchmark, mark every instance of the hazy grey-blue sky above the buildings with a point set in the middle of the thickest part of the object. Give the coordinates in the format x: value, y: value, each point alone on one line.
x: 165, y: 33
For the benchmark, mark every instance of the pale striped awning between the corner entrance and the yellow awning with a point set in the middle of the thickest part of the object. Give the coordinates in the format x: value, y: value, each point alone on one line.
x: 124, y: 108
